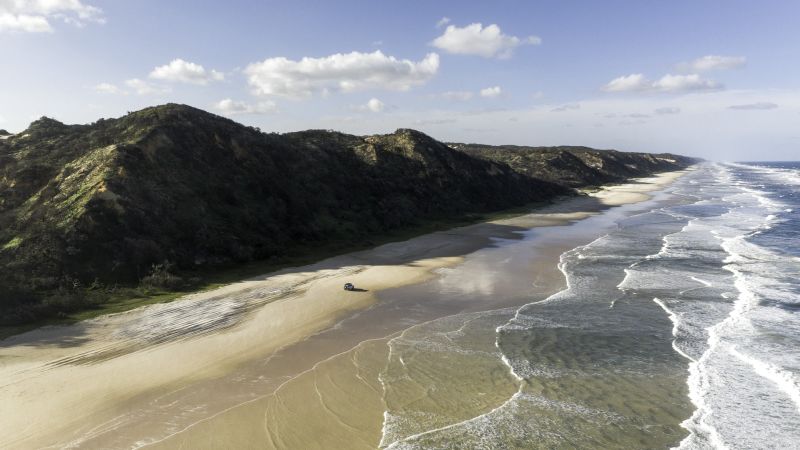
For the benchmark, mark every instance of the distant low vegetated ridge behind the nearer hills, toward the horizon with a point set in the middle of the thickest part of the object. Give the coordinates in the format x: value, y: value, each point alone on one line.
x: 577, y: 166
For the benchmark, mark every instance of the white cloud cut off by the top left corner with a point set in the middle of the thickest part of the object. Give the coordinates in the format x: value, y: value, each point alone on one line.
x: 35, y: 16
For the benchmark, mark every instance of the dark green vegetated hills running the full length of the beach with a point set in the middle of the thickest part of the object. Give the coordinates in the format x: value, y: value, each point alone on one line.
x: 156, y: 201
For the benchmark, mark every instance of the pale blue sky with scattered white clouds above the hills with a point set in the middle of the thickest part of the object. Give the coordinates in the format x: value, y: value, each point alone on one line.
x: 715, y: 79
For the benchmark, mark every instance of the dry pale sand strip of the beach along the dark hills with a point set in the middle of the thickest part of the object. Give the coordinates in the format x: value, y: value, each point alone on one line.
x: 189, y: 341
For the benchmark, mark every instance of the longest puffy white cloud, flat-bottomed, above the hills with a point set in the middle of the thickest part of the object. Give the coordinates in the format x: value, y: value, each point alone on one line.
x: 343, y: 72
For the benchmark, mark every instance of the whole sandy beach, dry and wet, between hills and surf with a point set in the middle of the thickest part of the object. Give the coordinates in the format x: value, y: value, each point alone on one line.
x: 287, y: 360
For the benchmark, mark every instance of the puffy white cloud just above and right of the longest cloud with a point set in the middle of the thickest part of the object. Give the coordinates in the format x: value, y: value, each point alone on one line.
x: 474, y: 39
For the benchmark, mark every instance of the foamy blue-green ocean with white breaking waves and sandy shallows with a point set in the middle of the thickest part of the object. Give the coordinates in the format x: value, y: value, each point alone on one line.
x: 680, y: 327
